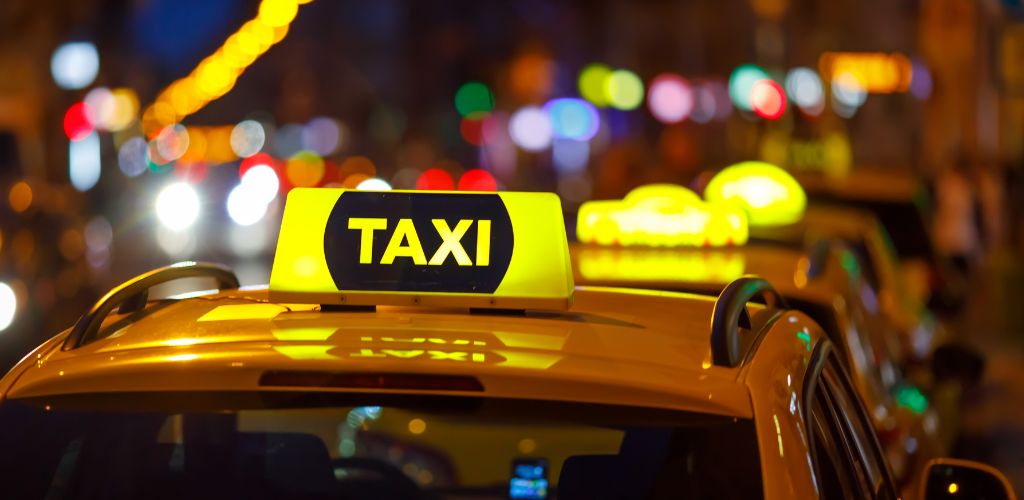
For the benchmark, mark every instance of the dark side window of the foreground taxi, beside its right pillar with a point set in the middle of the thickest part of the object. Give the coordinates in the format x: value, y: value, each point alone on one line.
x: 848, y: 460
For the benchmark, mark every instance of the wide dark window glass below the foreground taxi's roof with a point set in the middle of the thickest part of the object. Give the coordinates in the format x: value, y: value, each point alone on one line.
x: 374, y: 448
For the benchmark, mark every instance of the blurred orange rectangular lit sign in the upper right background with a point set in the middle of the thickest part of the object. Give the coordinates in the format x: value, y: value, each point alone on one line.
x: 876, y: 72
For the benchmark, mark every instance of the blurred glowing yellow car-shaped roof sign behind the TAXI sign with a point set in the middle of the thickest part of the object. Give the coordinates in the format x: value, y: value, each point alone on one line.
x: 661, y: 216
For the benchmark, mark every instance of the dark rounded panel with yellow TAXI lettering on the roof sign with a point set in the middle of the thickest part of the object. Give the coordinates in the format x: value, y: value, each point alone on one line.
x: 418, y: 242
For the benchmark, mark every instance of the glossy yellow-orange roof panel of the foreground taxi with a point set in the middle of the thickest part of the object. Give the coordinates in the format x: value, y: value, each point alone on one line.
x: 612, y: 347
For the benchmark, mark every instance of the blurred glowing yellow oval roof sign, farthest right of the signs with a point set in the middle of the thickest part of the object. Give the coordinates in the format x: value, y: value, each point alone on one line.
x: 770, y: 195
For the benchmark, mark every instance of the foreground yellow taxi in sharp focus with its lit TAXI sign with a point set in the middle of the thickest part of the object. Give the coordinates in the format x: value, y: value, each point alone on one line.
x: 422, y: 346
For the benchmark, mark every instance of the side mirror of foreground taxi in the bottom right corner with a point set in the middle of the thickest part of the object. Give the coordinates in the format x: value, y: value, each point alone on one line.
x: 964, y: 480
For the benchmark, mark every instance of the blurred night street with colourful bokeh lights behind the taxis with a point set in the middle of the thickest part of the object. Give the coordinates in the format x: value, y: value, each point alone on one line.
x: 135, y: 134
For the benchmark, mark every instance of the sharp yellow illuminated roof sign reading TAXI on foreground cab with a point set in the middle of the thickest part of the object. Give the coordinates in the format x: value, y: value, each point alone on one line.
x: 503, y: 251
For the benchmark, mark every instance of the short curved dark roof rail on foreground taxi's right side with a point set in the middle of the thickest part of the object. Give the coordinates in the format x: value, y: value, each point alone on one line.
x: 728, y: 349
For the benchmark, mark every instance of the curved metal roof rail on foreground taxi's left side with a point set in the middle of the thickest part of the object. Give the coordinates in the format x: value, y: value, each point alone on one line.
x: 133, y: 296
